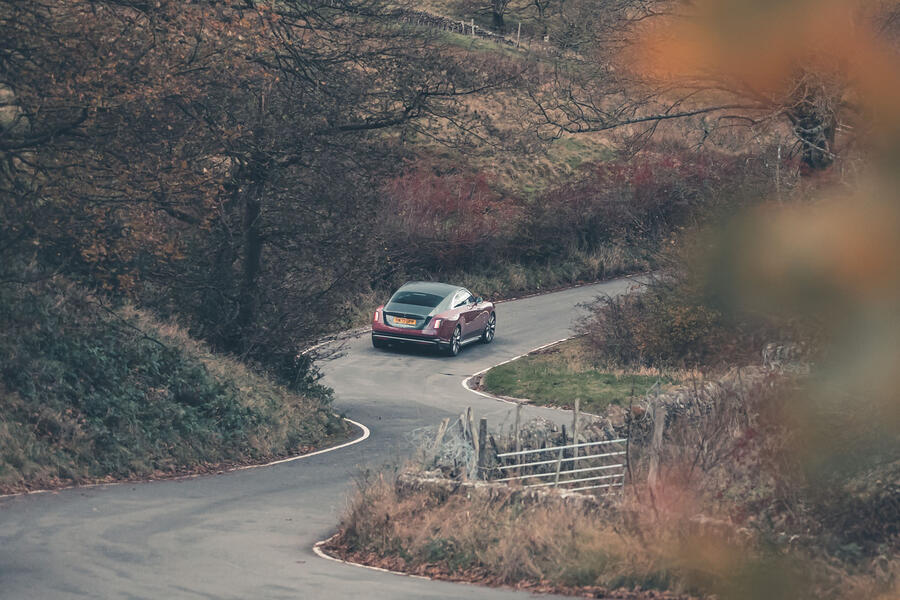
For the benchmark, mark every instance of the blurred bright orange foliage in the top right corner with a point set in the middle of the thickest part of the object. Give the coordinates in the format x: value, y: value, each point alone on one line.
x: 765, y: 45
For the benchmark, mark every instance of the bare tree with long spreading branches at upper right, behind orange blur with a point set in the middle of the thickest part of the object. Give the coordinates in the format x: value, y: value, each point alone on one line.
x: 598, y: 90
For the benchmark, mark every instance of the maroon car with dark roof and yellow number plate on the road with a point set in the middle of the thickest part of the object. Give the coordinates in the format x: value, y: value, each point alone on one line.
x: 434, y: 314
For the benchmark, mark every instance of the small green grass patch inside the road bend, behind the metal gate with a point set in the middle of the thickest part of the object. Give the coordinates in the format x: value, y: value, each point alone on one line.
x: 556, y: 376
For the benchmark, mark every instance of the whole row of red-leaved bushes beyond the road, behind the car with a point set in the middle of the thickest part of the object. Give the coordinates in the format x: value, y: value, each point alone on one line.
x: 445, y: 221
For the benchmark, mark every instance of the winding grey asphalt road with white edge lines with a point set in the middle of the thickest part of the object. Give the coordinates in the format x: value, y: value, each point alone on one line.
x: 249, y: 534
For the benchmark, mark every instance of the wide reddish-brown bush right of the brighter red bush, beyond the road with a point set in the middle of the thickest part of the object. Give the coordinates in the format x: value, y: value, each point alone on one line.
x: 641, y: 199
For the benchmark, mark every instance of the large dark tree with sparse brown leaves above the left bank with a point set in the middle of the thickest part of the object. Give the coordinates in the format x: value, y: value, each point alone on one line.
x: 222, y: 157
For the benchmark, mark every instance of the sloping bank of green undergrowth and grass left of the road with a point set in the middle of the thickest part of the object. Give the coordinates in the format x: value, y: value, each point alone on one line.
x: 93, y: 393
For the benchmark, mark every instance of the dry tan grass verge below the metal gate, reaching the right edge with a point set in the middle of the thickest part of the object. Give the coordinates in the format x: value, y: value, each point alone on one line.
x: 634, y: 549
